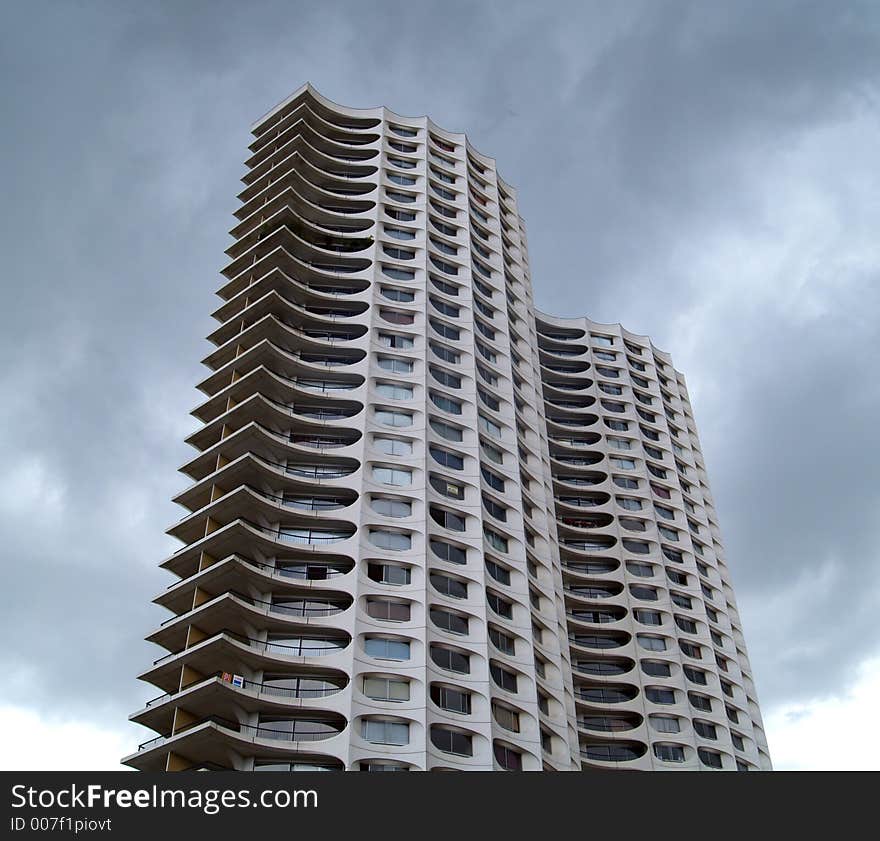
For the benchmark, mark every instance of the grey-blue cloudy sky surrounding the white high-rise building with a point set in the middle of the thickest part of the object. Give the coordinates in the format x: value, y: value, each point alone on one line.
x: 705, y: 173
